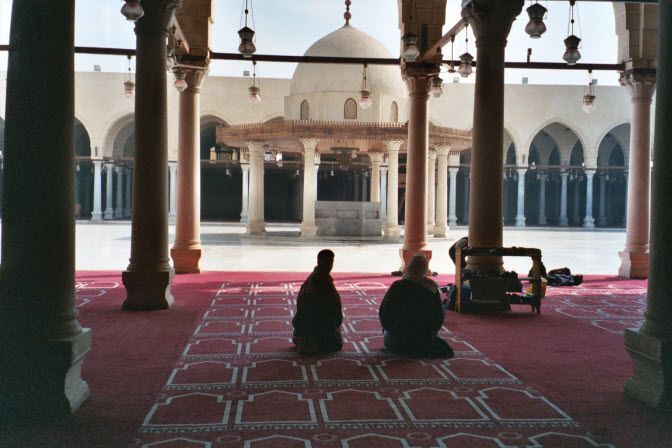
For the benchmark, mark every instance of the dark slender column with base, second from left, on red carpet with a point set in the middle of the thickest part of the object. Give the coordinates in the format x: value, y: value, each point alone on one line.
x: 148, y: 276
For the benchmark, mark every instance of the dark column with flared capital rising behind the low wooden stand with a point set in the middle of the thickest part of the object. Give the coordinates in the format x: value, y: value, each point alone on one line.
x: 491, y: 22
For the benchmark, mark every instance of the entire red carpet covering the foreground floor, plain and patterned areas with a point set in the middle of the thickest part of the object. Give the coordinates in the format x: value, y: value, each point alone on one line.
x: 219, y: 371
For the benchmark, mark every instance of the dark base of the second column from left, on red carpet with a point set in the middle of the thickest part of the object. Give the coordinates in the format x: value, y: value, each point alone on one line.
x: 147, y: 290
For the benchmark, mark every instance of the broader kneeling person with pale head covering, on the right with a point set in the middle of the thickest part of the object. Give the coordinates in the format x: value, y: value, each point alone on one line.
x: 411, y: 314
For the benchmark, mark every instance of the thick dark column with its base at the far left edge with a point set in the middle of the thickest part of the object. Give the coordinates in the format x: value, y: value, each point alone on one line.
x: 43, y: 345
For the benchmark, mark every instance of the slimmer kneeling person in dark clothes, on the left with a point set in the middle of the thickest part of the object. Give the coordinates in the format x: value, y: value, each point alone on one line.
x: 318, y: 311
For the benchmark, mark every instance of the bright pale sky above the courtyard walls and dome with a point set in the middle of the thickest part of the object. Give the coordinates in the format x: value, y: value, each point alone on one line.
x: 291, y: 26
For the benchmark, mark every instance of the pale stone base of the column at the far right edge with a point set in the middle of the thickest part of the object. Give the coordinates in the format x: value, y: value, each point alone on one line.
x: 651, y: 382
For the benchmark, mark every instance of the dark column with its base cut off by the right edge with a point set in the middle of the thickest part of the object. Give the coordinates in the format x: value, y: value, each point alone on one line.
x: 651, y: 345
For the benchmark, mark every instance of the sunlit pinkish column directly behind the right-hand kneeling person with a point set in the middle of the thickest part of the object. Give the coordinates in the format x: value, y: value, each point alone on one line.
x: 415, y: 226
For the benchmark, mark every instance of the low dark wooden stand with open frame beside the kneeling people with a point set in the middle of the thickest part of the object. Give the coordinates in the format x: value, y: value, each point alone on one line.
x: 494, y: 290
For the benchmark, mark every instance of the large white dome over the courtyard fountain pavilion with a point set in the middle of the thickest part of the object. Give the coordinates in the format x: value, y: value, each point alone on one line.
x: 347, y: 42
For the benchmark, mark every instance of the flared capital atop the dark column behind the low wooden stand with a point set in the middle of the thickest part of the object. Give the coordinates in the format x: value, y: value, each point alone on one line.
x: 491, y: 20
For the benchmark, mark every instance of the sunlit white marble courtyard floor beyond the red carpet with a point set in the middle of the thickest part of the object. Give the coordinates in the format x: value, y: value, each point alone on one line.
x: 106, y: 246
